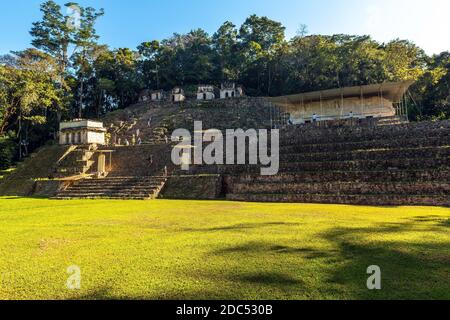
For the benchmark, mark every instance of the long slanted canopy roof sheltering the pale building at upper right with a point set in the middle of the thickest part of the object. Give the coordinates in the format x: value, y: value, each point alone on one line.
x: 393, y: 91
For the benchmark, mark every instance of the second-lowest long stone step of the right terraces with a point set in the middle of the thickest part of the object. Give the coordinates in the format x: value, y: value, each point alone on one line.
x: 337, y: 188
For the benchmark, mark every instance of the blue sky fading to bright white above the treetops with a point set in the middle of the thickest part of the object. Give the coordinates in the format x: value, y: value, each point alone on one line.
x: 128, y: 23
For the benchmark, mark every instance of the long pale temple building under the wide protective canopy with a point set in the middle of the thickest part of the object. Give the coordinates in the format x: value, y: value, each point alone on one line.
x: 370, y: 101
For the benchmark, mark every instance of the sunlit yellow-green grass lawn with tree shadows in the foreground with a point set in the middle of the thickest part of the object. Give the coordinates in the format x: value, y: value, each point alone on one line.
x: 221, y: 250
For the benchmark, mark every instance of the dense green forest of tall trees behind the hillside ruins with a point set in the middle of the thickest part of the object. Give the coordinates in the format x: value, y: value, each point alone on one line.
x: 67, y: 73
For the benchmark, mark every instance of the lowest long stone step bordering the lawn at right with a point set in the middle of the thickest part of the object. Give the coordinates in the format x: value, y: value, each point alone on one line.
x: 359, y: 199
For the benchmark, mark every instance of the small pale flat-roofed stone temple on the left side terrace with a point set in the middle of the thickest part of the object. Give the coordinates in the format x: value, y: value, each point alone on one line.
x: 81, y: 132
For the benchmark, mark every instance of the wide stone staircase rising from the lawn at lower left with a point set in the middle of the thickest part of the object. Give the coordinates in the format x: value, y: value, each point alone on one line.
x: 127, y: 188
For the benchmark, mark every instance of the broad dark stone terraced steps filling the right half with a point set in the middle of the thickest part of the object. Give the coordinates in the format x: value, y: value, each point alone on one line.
x: 406, y: 164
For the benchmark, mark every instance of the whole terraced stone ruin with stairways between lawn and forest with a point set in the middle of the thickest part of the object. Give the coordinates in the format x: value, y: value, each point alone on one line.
x: 359, y: 160
